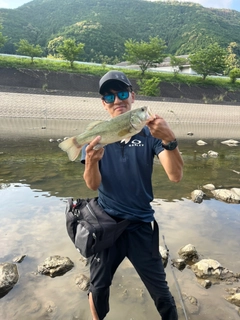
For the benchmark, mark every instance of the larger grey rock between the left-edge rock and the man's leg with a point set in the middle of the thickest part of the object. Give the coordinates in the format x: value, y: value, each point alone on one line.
x: 55, y: 266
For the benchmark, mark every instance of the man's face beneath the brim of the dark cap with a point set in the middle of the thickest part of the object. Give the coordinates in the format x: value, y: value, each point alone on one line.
x: 119, y: 105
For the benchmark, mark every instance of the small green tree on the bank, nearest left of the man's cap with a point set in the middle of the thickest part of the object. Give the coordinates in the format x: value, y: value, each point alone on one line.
x: 70, y: 50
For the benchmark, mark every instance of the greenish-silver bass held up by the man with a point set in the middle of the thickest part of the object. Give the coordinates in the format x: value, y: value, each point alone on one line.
x: 120, y: 128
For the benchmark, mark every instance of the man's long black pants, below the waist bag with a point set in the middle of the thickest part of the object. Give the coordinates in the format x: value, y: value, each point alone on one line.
x: 137, y: 246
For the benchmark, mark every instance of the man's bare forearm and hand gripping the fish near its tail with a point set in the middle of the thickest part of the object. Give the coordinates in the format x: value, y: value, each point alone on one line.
x: 92, y: 175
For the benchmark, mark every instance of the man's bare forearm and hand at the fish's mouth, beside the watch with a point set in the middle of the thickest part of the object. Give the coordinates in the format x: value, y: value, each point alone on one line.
x: 171, y: 160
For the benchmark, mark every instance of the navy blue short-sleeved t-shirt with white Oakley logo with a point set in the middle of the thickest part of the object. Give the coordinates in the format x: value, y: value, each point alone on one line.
x: 126, y: 169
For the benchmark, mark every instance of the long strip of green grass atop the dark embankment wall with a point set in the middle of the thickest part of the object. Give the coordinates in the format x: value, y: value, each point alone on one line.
x: 99, y: 70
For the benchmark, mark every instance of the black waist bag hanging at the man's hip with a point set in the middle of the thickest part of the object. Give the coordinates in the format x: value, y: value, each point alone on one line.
x: 90, y: 228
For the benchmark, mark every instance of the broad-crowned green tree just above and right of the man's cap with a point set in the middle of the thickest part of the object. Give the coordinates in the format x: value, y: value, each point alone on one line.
x: 146, y: 54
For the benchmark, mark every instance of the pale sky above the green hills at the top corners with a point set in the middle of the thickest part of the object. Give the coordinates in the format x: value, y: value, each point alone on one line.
x: 220, y: 4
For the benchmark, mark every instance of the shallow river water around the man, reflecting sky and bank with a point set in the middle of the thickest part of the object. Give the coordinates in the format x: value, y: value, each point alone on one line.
x: 35, y: 180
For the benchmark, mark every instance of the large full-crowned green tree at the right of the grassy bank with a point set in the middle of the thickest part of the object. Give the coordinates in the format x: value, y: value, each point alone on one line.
x: 210, y: 60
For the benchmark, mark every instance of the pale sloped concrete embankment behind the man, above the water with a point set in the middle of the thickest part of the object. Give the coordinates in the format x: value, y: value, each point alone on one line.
x: 35, y: 112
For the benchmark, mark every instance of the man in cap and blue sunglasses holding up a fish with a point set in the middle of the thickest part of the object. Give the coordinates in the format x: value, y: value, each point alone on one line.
x: 122, y: 175
